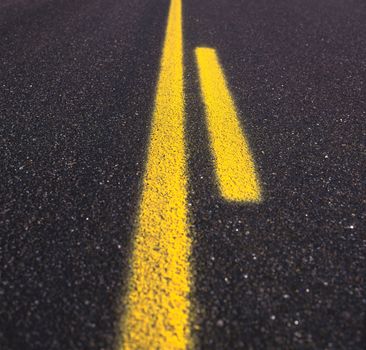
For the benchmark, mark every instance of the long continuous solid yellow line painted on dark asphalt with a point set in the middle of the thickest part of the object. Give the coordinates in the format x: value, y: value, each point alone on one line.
x: 157, y: 304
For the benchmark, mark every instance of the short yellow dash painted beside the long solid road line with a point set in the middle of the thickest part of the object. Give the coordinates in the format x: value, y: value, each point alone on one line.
x: 234, y: 165
